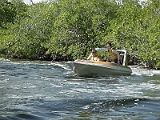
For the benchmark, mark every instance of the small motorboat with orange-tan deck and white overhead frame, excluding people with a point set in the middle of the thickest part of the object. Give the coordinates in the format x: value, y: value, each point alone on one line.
x: 87, y: 67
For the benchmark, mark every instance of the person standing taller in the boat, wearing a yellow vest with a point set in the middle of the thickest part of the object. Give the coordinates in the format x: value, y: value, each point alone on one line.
x: 113, y: 55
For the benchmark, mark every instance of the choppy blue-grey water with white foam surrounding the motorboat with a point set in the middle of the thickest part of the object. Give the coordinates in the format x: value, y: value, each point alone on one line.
x: 48, y: 91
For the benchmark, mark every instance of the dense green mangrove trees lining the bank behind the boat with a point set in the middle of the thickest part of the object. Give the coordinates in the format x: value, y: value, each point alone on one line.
x: 69, y: 29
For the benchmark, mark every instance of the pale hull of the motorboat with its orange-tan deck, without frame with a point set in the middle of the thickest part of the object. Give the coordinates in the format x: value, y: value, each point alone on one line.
x: 94, y: 68
